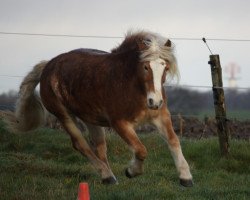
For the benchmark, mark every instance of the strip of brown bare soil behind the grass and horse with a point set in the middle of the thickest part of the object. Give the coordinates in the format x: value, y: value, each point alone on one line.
x: 189, y: 127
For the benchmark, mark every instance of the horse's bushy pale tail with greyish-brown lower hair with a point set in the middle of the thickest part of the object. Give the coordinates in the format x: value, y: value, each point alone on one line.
x: 30, y: 112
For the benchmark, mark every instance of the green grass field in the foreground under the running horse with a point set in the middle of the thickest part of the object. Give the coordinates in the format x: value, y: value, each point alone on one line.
x: 43, y: 165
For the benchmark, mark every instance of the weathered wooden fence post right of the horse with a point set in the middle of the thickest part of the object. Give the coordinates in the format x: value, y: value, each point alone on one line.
x: 219, y: 104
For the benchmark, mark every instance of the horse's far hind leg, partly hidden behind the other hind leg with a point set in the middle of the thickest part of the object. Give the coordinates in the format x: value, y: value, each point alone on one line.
x: 98, y: 142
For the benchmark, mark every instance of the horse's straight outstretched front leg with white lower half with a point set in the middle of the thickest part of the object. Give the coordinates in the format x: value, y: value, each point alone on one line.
x: 164, y: 124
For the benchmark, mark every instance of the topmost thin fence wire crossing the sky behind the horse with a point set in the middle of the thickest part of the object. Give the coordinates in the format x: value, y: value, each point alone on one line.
x: 116, y: 37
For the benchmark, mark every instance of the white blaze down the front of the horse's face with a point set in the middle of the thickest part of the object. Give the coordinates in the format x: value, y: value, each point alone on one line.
x: 158, y: 67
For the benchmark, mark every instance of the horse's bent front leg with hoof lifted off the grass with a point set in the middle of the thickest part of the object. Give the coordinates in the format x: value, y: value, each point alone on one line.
x: 128, y: 134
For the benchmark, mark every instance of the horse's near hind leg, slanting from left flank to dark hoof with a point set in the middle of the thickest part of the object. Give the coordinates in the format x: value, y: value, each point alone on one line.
x: 81, y: 145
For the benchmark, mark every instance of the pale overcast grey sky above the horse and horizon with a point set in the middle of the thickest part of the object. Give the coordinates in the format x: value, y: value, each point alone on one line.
x: 192, y: 19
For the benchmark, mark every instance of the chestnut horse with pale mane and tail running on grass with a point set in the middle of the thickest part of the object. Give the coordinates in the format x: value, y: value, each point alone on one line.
x: 121, y: 89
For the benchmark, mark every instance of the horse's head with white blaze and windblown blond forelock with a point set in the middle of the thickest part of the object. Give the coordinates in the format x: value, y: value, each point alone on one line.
x: 157, y: 60
